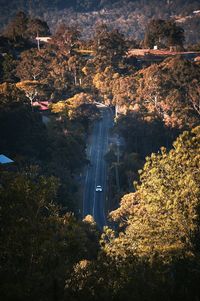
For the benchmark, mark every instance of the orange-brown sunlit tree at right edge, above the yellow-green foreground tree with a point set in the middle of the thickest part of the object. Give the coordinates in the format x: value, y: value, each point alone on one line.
x: 165, y: 90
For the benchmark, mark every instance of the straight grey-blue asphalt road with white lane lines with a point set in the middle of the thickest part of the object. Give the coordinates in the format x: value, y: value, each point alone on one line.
x: 96, y: 171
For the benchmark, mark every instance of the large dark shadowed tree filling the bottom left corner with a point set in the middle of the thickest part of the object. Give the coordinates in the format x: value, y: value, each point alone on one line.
x: 39, y: 246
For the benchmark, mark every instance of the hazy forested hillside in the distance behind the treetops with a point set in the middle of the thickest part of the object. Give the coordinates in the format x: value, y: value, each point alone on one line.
x: 130, y: 16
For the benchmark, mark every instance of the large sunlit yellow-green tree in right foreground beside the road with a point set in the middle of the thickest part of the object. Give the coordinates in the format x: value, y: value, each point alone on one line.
x: 162, y: 215
